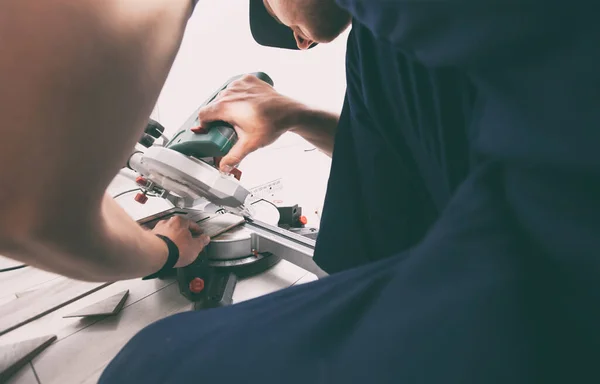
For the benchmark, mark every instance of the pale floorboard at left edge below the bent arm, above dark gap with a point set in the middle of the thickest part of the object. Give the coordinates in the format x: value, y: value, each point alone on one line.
x: 26, y: 309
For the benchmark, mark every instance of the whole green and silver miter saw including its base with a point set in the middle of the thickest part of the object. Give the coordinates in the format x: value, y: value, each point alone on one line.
x: 184, y: 171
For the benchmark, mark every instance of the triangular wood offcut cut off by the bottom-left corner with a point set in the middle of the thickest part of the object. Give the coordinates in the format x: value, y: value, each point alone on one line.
x: 14, y: 356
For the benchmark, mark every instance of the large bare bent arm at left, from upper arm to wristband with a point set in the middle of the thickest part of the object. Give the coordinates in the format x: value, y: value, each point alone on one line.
x: 79, y: 80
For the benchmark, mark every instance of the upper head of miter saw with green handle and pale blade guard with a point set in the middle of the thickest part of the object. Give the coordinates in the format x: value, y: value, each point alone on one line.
x: 185, y: 169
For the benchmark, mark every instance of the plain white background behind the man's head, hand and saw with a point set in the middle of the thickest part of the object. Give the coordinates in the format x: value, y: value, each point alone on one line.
x: 217, y: 46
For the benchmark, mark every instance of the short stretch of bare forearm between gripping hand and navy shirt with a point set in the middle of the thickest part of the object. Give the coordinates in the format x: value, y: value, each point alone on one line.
x: 318, y: 128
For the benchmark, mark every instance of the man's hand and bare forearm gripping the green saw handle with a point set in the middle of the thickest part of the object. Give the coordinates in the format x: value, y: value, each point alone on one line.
x: 261, y: 115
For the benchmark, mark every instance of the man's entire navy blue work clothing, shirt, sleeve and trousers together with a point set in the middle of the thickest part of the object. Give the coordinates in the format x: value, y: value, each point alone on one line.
x: 462, y: 217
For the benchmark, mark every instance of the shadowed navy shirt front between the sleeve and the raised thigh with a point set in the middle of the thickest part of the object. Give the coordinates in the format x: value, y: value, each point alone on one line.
x: 400, y: 152
